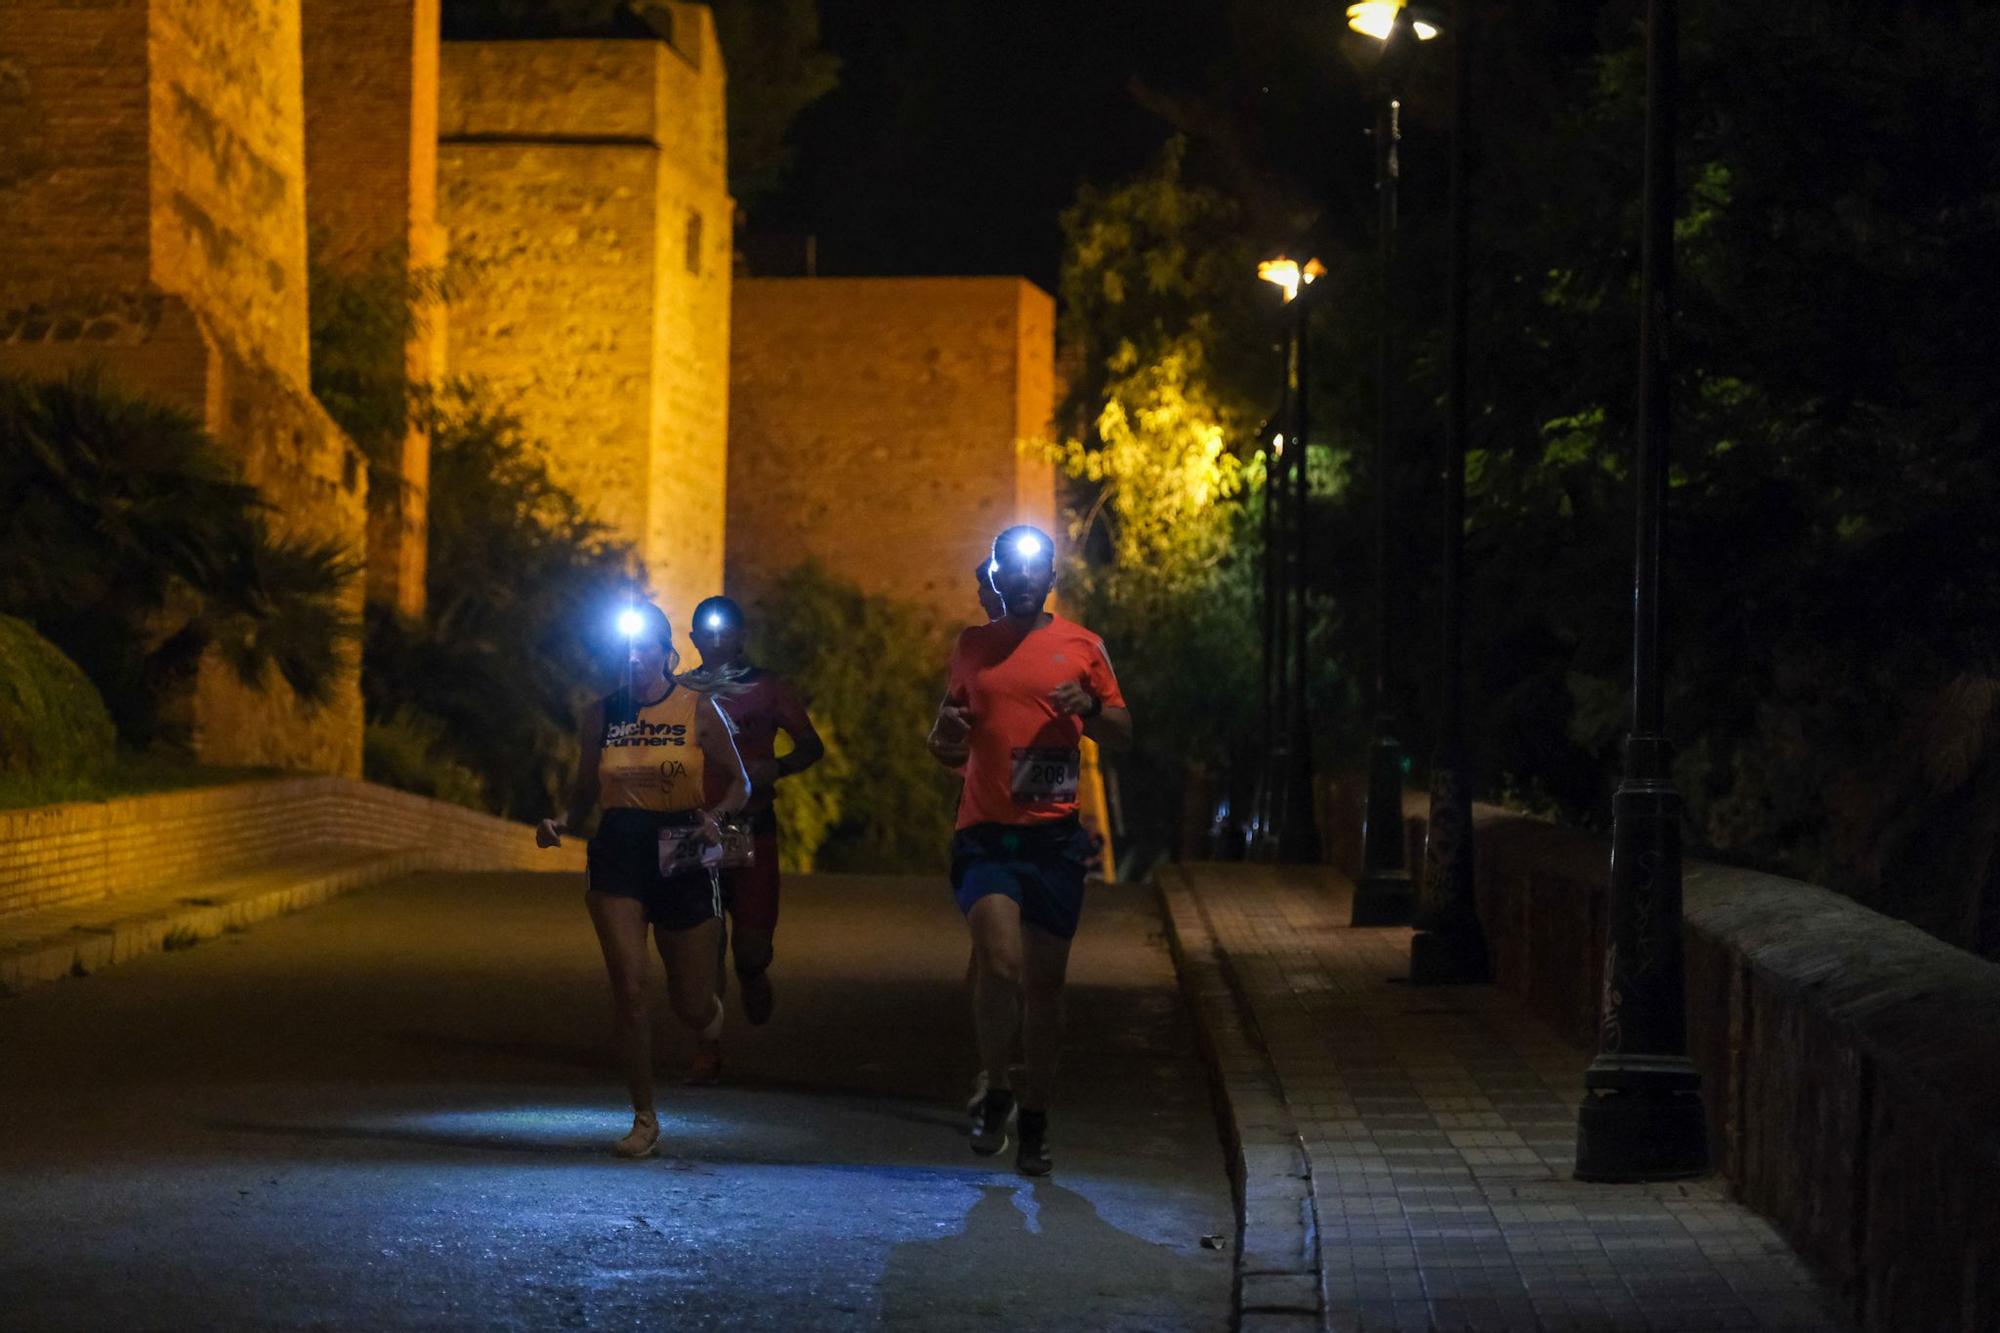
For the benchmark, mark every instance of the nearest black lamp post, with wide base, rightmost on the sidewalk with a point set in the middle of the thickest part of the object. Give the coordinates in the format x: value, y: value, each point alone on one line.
x: 1643, y: 1098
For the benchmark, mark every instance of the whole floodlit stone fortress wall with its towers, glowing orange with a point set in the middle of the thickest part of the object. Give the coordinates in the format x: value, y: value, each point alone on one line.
x: 165, y: 167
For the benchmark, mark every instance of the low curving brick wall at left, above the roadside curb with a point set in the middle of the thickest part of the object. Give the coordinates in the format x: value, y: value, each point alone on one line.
x: 91, y: 852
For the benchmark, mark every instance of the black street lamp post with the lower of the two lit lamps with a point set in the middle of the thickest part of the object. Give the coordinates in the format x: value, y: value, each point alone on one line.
x: 1291, y: 832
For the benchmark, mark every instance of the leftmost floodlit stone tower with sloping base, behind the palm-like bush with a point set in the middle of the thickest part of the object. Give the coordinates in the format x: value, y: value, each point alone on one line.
x: 153, y: 221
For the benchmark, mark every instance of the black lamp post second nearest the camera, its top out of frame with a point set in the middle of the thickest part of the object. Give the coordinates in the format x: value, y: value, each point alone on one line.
x: 1451, y: 946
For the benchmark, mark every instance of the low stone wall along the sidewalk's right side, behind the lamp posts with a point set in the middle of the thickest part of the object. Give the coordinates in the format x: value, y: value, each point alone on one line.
x: 1851, y: 1064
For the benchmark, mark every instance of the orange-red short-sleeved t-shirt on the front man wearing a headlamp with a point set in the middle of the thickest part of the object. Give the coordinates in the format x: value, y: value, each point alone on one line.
x: 1023, y: 766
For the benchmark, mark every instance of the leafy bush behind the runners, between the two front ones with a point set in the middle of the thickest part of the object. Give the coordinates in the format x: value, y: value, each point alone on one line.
x: 871, y: 672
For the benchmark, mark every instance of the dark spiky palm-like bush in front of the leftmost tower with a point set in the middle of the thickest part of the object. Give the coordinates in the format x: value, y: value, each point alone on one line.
x: 129, y: 539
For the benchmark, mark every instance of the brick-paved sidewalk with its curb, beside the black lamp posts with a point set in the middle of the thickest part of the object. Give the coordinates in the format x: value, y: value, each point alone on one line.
x: 1437, y: 1132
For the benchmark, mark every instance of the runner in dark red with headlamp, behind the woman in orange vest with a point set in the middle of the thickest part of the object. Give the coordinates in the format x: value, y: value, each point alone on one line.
x: 759, y: 706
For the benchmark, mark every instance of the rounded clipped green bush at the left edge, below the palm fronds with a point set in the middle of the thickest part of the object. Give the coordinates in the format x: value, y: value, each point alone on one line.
x: 53, y: 722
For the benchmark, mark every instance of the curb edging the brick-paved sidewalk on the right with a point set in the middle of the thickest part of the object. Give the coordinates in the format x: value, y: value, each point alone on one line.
x: 1281, y: 1286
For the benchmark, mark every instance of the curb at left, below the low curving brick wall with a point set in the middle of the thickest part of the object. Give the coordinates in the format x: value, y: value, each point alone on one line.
x: 89, y: 950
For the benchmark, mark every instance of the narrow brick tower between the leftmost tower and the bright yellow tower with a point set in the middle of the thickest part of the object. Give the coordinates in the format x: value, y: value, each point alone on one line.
x: 371, y: 79
